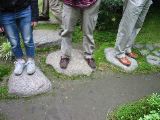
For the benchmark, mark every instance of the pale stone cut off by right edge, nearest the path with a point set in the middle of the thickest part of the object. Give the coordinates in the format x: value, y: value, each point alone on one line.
x: 153, y: 60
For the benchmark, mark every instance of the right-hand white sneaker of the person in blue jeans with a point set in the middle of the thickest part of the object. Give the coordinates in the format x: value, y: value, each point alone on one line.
x: 30, y: 66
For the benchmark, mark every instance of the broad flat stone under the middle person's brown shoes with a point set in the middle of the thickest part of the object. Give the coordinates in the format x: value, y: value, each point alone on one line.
x: 77, y: 65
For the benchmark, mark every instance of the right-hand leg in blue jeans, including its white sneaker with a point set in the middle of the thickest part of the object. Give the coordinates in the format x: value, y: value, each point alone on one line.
x: 24, y: 24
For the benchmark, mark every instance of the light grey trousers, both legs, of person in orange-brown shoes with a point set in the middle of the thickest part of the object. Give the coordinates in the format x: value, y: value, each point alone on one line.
x: 131, y: 23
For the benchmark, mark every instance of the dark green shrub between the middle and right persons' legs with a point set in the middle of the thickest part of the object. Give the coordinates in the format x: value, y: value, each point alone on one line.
x: 110, y: 14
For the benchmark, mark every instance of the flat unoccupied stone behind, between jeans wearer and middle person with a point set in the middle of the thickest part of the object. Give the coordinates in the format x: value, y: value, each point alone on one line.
x: 46, y: 37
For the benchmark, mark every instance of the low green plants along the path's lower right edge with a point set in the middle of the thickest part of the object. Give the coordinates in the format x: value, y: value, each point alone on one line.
x: 137, y: 109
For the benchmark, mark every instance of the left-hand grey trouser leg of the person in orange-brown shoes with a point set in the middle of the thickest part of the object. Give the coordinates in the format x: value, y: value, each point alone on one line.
x: 127, y: 24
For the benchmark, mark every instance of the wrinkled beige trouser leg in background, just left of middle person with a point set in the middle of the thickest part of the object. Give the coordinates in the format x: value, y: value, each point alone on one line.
x: 56, y: 9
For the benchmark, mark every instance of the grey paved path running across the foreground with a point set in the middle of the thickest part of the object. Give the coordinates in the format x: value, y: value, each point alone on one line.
x: 88, y: 99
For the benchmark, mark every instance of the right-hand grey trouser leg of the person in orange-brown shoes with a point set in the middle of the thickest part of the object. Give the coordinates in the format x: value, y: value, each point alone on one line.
x: 138, y: 26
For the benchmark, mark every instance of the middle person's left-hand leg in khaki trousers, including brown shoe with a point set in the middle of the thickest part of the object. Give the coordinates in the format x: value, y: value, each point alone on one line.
x: 70, y: 16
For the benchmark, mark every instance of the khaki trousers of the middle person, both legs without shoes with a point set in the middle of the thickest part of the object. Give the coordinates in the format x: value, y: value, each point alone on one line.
x: 70, y: 17
